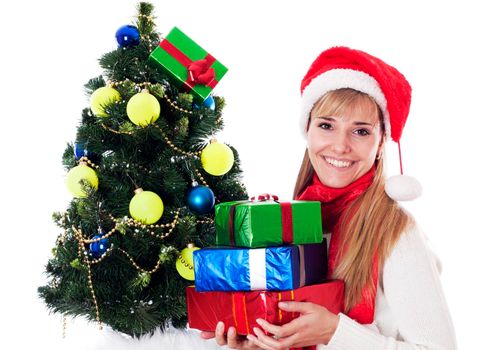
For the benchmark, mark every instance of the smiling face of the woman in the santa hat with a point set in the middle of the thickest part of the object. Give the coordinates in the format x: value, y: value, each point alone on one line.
x: 343, y: 147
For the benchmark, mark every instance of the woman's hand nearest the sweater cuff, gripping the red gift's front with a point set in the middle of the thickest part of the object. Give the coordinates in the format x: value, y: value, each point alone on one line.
x: 315, y: 325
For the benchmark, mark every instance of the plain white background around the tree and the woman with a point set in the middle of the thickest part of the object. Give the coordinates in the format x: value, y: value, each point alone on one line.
x: 50, y: 49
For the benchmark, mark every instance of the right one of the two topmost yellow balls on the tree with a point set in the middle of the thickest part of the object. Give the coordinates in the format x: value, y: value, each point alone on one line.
x: 143, y: 109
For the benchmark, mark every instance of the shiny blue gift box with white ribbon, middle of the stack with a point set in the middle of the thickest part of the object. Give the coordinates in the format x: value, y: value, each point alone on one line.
x: 272, y: 268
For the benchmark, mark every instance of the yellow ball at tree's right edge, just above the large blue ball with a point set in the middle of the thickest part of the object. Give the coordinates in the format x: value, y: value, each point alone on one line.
x: 217, y: 158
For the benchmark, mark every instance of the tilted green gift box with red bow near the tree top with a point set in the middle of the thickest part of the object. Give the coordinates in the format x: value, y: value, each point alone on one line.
x: 188, y: 64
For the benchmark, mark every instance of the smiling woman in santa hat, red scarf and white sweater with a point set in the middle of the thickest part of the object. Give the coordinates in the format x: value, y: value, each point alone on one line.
x: 352, y: 102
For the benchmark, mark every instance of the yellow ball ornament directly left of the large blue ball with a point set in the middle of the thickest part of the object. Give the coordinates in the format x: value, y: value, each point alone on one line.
x: 146, y: 207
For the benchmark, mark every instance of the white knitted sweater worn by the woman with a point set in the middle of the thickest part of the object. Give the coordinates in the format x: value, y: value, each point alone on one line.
x: 411, y: 284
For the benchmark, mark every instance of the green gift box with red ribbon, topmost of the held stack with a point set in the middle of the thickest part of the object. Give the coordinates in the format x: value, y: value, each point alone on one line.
x: 268, y: 223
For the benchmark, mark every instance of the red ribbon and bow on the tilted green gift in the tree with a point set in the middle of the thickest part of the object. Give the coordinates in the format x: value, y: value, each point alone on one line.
x: 200, y: 72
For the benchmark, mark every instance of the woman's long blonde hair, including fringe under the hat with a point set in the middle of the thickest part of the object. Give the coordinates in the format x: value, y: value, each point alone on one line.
x: 372, y: 224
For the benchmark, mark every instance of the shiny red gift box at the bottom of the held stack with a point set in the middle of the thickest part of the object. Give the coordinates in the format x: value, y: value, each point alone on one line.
x: 241, y: 309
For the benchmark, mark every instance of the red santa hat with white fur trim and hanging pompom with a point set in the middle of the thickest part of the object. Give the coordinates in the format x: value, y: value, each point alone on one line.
x: 342, y: 67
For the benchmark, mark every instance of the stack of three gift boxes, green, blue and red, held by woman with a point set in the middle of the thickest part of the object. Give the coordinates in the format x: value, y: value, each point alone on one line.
x: 267, y: 251
